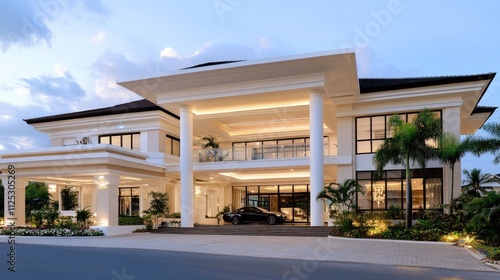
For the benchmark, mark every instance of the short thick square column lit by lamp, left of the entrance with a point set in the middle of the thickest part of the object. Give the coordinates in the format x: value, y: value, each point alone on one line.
x: 107, y: 200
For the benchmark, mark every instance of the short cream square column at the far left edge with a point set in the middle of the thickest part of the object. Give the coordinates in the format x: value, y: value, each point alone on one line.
x: 14, y: 213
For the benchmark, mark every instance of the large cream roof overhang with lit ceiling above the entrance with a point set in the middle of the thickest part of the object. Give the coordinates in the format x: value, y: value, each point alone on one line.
x: 235, y: 99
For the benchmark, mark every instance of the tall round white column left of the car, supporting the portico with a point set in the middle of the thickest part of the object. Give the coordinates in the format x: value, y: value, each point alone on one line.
x: 186, y: 164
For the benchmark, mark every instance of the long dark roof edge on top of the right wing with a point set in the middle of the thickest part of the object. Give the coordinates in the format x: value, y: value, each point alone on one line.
x: 368, y: 85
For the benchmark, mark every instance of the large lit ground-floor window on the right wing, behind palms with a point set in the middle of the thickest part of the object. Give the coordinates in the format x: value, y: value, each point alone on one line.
x: 391, y: 189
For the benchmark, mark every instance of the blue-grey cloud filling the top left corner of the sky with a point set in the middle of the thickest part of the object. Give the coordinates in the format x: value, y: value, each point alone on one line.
x: 23, y: 23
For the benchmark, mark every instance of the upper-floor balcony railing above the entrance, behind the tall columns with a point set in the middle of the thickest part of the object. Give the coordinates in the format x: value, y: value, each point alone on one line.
x: 255, y: 152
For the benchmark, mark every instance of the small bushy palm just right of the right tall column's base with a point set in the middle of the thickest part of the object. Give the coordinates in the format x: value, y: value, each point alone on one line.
x: 342, y: 196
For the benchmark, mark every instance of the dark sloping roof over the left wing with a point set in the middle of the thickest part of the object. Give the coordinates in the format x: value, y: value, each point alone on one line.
x: 143, y: 105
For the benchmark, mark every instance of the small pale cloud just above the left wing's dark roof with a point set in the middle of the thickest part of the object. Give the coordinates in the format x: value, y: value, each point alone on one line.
x: 64, y: 85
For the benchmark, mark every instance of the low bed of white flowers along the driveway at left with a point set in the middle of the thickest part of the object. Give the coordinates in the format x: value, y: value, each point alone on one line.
x: 21, y: 231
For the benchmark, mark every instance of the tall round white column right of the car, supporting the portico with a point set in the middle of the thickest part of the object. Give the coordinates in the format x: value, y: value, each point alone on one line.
x: 317, y: 156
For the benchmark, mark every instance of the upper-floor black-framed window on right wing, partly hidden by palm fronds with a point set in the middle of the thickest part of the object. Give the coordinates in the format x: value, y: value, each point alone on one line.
x: 371, y: 131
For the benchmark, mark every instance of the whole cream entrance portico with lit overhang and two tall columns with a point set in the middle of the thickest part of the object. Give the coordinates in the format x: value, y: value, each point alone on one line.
x: 257, y: 100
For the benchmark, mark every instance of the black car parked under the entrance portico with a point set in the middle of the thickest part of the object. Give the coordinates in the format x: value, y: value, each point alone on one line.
x: 252, y: 214
